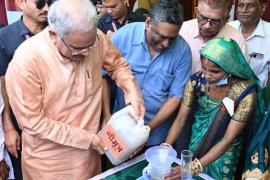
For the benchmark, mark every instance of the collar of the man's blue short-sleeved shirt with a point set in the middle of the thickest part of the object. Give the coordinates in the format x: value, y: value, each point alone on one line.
x: 141, y: 39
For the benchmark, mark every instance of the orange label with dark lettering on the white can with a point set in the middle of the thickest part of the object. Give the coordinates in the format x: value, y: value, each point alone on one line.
x: 113, y: 142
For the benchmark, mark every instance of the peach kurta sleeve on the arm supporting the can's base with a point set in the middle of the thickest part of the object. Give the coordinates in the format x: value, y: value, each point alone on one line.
x: 25, y: 93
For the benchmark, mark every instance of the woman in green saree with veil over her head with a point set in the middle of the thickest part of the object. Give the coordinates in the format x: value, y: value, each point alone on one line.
x: 227, y: 92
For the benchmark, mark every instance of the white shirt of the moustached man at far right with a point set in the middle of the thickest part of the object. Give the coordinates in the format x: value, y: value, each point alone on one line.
x: 258, y: 45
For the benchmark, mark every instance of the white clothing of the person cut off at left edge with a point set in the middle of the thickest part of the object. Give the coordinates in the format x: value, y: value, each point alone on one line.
x: 3, y: 152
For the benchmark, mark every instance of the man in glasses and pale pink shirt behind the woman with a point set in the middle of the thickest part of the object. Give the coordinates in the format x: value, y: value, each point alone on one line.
x: 212, y: 16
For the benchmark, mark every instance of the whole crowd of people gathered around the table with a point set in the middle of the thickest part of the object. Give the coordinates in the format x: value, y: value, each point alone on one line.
x: 202, y: 85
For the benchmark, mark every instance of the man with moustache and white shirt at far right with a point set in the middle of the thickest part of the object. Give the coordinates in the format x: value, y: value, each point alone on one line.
x: 257, y: 34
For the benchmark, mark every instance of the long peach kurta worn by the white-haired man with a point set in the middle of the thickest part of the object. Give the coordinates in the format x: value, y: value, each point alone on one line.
x: 57, y: 103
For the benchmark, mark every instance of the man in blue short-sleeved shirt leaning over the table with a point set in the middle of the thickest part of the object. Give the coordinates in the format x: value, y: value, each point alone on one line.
x: 160, y: 60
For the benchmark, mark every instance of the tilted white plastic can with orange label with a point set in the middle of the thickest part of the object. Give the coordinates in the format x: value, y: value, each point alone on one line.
x: 123, y: 135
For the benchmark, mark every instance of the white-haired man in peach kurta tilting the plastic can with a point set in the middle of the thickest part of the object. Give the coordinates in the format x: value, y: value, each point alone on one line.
x: 54, y: 87
